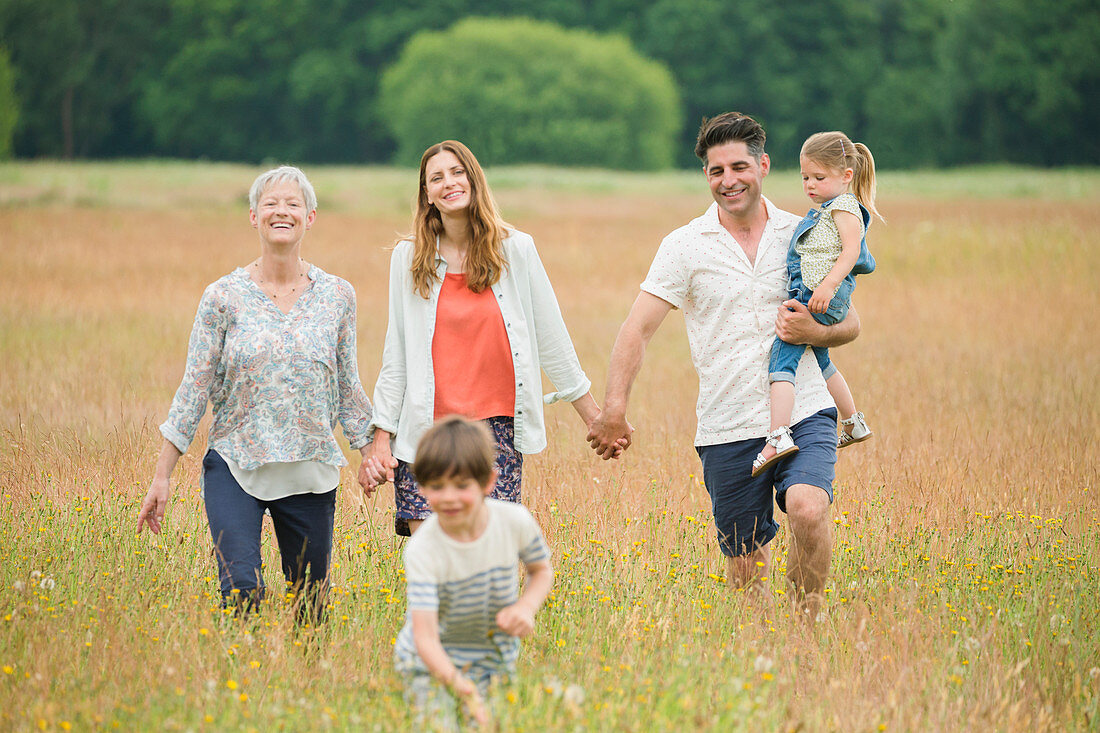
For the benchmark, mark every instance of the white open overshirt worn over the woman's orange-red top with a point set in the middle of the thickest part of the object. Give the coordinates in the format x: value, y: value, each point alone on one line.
x: 405, y: 393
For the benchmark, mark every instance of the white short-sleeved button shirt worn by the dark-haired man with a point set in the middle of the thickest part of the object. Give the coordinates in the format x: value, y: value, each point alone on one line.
x: 730, y: 307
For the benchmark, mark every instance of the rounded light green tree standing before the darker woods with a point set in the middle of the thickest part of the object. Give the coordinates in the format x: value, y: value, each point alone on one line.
x: 522, y: 92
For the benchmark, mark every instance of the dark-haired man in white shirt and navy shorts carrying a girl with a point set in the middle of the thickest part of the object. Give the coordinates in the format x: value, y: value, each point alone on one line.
x: 728, y: 272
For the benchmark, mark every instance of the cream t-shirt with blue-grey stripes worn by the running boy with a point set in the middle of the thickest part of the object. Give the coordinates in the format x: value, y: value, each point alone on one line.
x: 467, y: 584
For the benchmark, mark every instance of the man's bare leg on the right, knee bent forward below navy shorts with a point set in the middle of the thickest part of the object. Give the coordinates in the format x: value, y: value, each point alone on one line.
x: 811, y: 546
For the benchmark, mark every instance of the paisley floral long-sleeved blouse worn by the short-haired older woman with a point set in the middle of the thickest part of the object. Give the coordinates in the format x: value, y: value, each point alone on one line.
x: 277, y: 382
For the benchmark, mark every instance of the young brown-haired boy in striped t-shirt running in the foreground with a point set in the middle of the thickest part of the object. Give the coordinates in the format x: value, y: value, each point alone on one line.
x: 466, y: 614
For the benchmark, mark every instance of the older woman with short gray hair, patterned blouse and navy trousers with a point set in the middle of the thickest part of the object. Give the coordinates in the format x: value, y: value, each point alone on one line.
x: 273, y: 351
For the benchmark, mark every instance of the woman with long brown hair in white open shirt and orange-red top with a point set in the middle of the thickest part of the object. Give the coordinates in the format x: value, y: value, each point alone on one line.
x: 474, y: 321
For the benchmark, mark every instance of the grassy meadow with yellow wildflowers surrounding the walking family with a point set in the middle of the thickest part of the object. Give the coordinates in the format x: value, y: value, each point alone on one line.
x: 965, y: 589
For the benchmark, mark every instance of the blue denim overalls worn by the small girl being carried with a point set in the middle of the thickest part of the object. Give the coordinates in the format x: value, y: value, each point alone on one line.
x: 785, y: 357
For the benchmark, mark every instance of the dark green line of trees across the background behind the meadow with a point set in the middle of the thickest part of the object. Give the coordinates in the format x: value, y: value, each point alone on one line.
x: 925, y: 83
